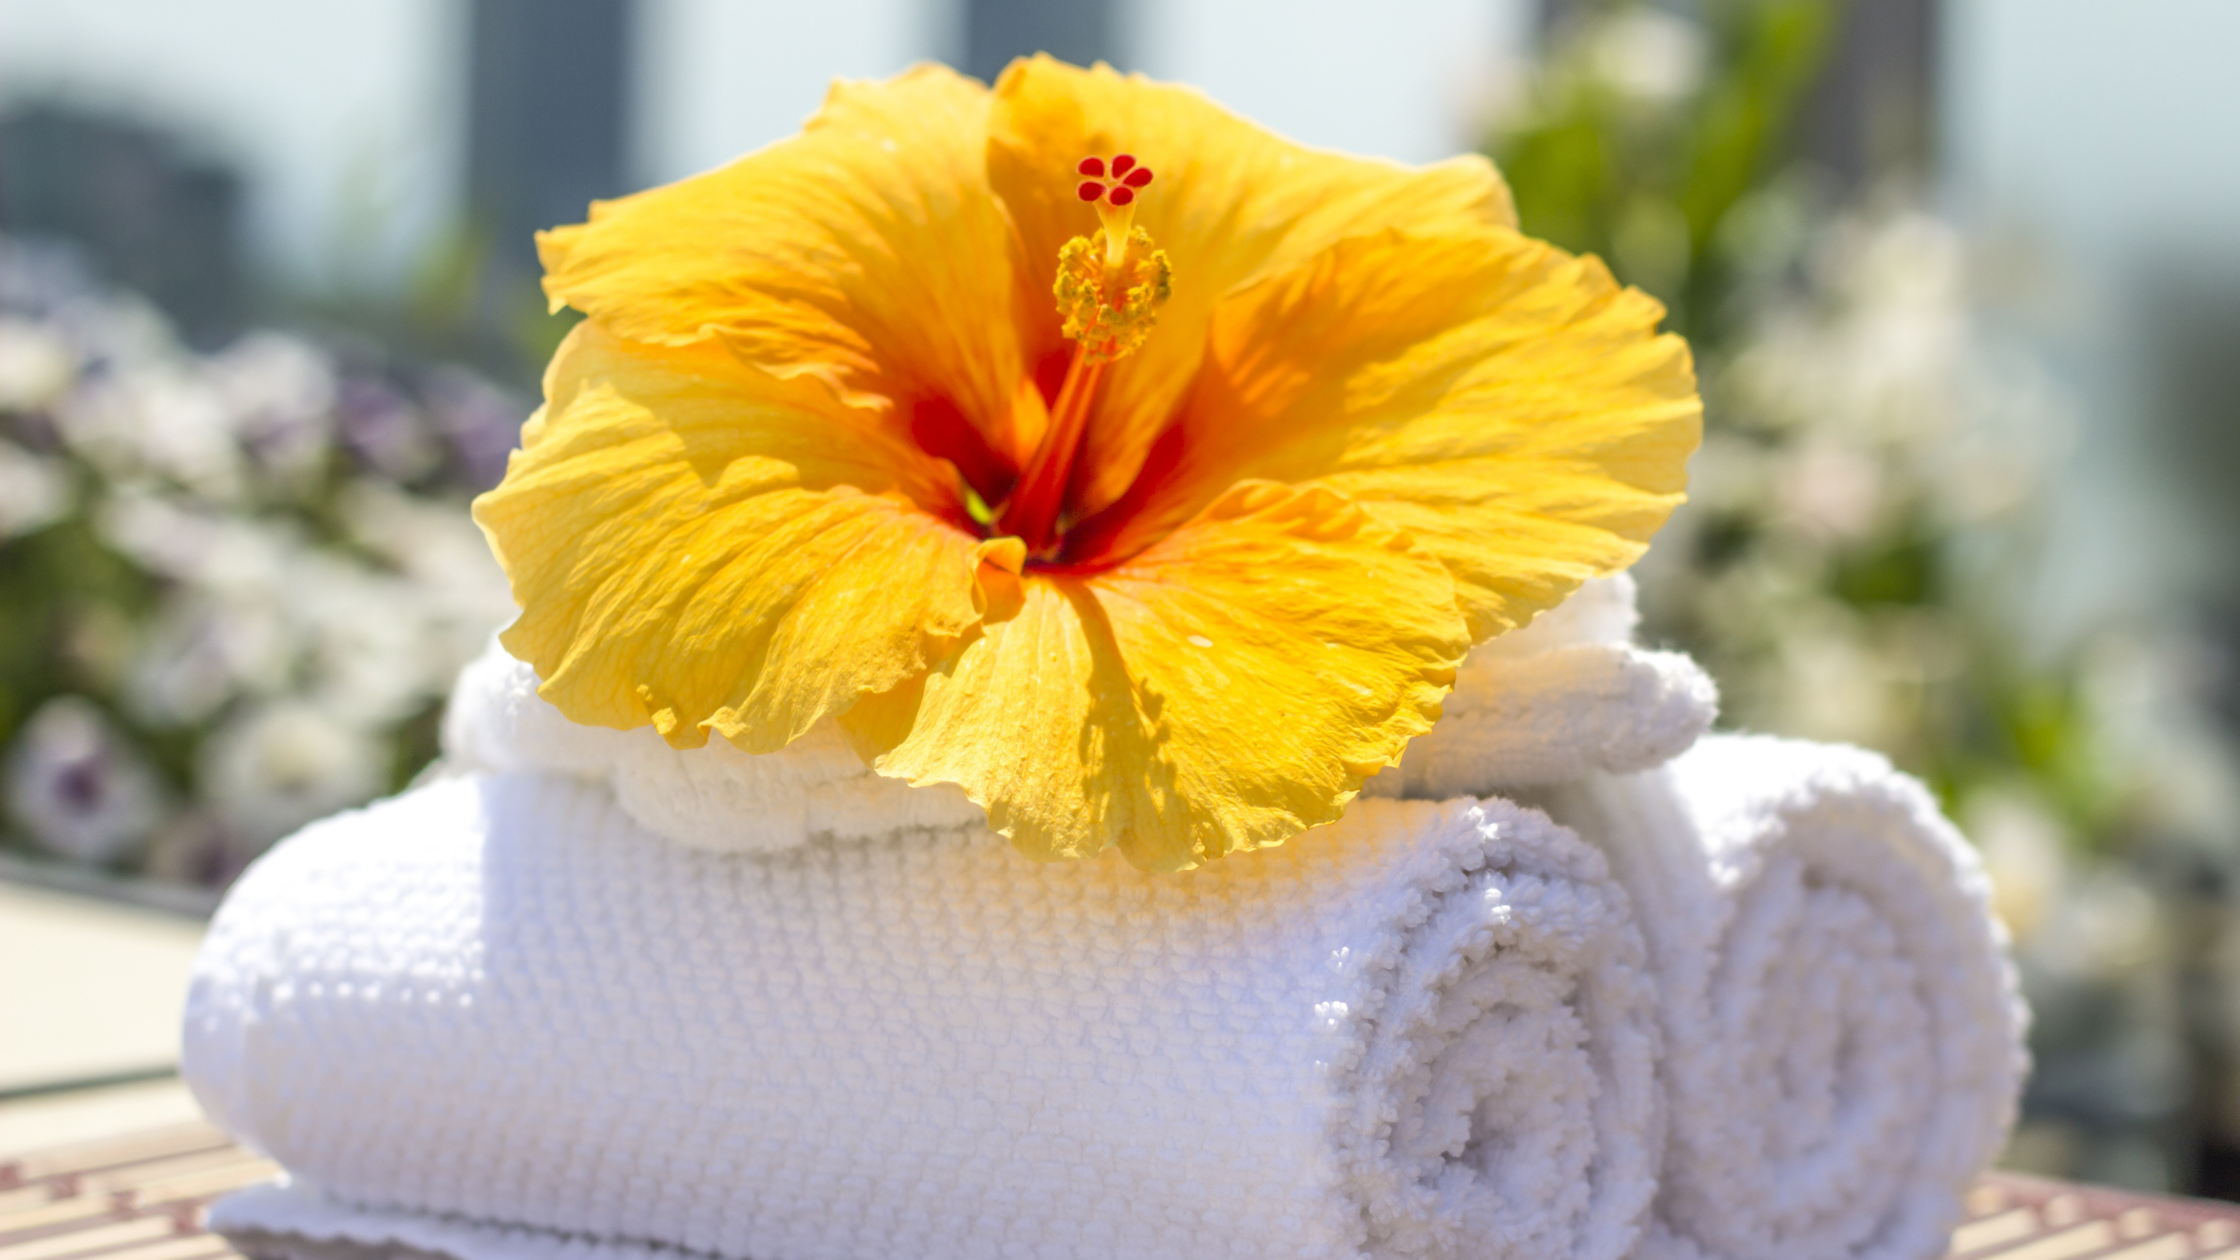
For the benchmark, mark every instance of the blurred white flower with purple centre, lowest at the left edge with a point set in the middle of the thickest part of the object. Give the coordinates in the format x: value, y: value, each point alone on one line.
x: 77, y: 788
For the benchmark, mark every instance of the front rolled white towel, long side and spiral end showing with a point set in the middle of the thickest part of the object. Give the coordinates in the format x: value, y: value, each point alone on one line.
x: 496, y: 1019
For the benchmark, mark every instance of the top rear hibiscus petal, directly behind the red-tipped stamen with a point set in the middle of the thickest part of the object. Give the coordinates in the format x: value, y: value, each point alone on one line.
x: 1231, y: 203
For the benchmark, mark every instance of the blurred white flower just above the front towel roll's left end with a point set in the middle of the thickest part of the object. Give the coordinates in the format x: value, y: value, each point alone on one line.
x: 281, y: 766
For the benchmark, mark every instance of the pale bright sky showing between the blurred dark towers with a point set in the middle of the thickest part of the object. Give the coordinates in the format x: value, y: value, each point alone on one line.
x: 2096, y: 122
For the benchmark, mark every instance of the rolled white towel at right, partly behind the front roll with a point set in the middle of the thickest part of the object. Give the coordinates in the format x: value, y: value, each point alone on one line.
x: 1842, y: 1030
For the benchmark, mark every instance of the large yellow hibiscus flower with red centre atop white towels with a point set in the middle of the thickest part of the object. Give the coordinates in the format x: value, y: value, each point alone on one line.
x: 1076, y: 443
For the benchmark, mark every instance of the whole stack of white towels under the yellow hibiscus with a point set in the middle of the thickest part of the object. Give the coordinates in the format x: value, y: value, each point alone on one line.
x: 1571, y: 983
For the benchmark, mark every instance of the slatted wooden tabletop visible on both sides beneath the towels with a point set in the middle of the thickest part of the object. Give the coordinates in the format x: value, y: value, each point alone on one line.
x: 142, y: 1198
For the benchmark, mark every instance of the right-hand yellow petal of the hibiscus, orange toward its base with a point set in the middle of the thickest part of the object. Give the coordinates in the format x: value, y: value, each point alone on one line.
x: 1504, y: 402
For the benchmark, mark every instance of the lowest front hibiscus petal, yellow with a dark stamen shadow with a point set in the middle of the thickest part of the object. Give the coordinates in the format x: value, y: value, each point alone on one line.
x: 1222, y: 692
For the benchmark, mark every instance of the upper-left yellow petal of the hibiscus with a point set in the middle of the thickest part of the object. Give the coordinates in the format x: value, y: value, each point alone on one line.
x: 866, y: 252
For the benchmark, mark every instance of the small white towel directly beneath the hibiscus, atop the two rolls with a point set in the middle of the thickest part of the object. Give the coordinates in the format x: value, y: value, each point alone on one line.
x: 1556, y: 701
